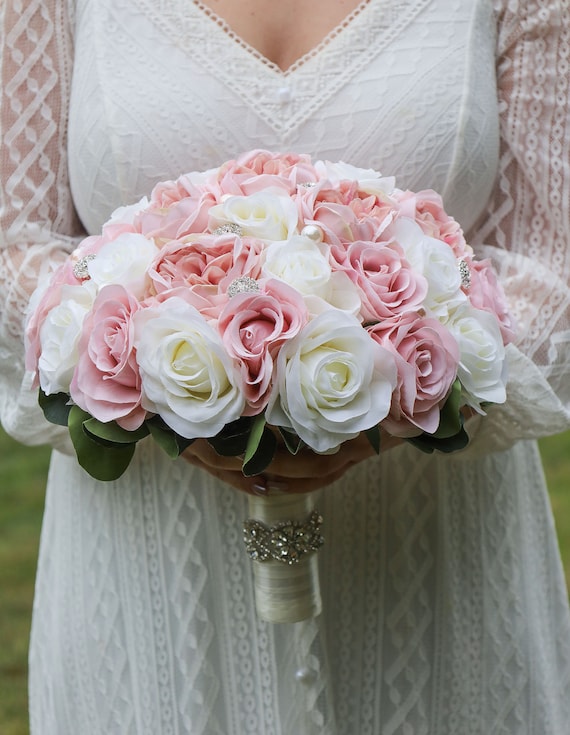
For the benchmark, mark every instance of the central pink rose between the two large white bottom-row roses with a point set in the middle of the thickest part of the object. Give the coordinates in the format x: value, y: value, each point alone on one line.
x: 253, y: 327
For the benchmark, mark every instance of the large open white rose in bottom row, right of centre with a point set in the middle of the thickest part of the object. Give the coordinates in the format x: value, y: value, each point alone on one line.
x: 333, y: 381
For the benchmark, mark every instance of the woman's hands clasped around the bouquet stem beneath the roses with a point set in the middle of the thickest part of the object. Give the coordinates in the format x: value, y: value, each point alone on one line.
x: 300, y: 473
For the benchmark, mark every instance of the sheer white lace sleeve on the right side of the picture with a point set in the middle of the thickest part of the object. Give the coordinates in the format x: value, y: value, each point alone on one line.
x: 526, y: 229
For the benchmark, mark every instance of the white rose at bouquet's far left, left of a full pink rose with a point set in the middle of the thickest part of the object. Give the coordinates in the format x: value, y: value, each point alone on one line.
x: 59, y: 337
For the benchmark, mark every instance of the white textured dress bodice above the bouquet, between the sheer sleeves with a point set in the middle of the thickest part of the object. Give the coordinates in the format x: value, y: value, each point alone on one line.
x: 161, y: 87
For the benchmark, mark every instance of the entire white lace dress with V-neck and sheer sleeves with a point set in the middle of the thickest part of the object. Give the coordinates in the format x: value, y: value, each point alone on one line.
x: 445, y: 611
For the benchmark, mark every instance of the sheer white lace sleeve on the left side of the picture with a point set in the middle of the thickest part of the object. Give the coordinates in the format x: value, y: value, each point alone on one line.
x: 38, y: 224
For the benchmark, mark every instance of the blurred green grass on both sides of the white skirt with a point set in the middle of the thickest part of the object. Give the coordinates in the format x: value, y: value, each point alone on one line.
x: 22, y: 482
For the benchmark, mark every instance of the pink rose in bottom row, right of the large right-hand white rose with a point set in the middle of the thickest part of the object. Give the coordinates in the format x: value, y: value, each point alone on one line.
x: 427, y: 357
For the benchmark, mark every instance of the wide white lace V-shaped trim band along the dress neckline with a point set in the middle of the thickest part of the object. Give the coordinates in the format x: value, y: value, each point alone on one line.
x: 284, y: 100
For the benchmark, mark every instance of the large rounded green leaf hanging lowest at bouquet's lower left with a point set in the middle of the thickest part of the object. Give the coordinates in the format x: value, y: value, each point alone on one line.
x: 101, y: 462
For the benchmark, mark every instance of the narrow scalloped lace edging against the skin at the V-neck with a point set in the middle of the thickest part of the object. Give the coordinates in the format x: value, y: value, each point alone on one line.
x: 223, y: 26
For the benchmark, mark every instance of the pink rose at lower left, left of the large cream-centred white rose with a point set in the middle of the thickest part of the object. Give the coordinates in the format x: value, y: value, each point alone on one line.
x: 106, y: 382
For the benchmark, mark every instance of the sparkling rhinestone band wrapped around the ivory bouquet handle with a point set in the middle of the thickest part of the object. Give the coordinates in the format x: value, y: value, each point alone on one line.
x: 287, y: 542
